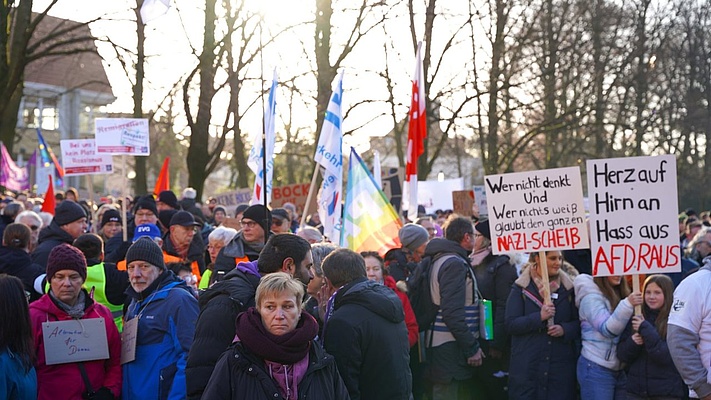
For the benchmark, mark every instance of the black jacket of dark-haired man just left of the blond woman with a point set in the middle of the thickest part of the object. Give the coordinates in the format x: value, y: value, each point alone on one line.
x: 215, y: 329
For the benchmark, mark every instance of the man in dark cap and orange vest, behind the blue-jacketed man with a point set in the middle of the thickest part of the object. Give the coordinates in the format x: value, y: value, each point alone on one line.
x: 182, y: 242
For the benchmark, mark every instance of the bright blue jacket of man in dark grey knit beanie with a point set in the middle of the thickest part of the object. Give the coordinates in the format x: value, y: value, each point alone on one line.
x: 166, y: 327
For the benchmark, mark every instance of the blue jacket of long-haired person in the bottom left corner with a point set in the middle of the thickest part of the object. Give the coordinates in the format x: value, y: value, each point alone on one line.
x: 15, y: 382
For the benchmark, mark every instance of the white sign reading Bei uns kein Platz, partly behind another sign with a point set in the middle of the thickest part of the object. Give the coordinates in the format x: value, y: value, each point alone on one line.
x: 79, y: 157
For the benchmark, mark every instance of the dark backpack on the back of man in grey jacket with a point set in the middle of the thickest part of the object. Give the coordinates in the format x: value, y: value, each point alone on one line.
x: 420, y: 295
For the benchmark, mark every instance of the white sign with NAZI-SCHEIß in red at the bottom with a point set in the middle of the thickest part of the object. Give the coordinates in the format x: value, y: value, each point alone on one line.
x: 536, y: 210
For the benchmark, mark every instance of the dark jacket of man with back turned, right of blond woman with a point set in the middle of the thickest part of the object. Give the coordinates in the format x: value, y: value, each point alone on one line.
x: 367, y: 335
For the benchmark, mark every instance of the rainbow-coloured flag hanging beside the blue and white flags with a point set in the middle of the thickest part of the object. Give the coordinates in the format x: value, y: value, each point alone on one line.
x: 370, y: 222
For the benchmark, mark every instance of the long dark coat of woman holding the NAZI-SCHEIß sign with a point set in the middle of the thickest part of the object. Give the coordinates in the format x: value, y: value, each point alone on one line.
x: 542, y: 366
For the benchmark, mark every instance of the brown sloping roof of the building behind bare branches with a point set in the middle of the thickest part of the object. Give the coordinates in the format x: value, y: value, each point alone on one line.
x: 83, y: 70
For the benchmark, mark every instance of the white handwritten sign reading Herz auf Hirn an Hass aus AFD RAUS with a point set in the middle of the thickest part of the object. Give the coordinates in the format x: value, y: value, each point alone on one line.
x: 633, y: 215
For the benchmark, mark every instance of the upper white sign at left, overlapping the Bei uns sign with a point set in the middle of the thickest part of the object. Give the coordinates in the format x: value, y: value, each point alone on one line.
x: 122, y: 136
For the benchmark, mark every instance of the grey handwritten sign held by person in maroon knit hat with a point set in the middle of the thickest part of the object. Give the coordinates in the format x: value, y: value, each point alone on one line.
x: 75, y: 340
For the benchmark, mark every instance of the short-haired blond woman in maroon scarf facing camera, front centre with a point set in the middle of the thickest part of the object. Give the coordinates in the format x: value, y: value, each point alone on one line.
x: 274, y: 355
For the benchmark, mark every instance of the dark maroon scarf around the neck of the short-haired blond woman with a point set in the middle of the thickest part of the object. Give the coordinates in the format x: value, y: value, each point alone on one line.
x: 284, y: 349
